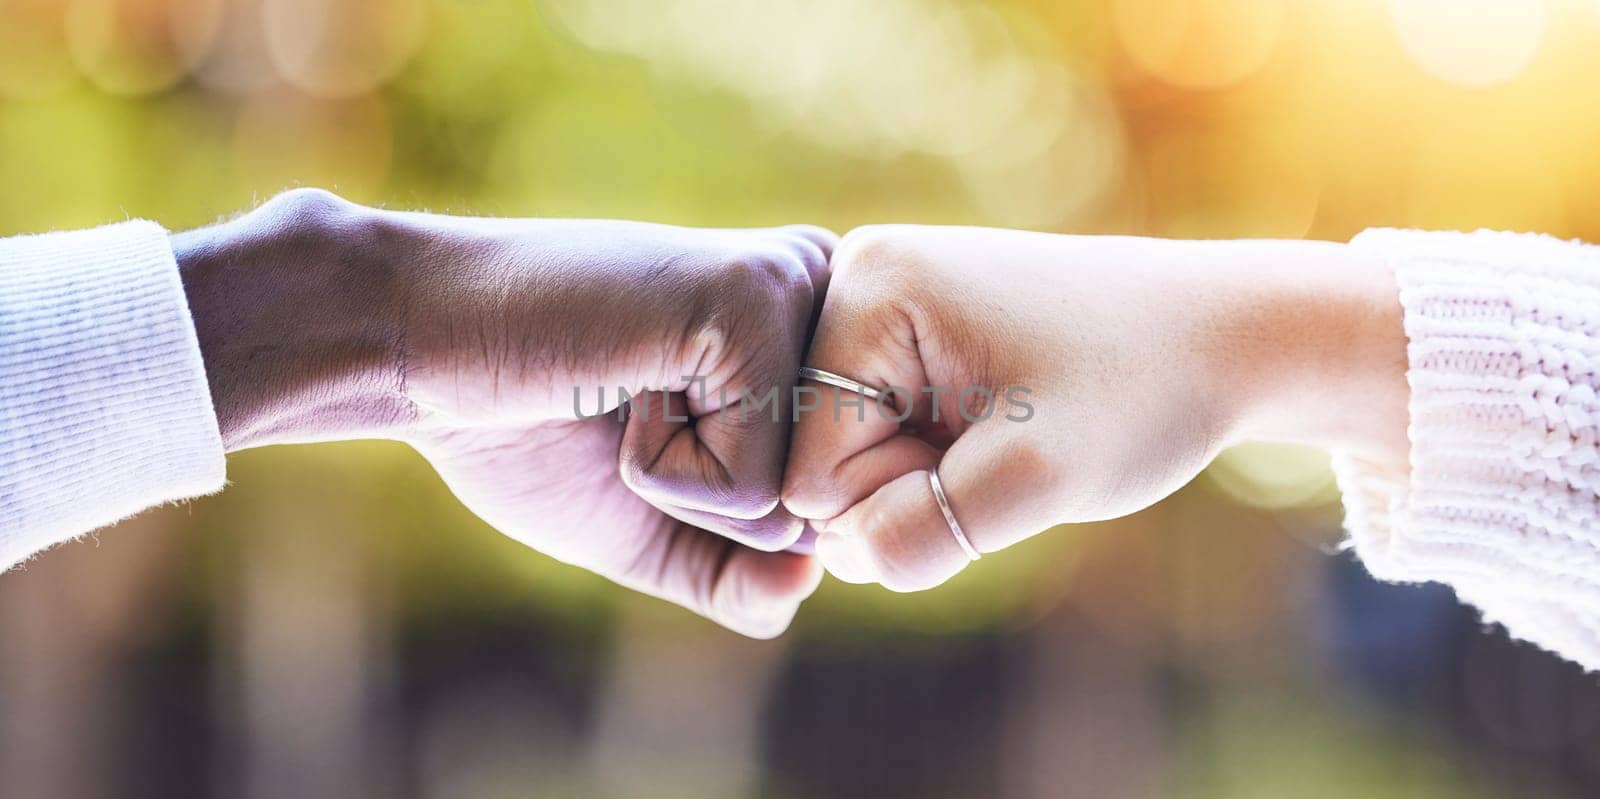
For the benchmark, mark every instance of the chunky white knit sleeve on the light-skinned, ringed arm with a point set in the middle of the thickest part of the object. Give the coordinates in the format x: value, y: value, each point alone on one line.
x: 1503, y: 497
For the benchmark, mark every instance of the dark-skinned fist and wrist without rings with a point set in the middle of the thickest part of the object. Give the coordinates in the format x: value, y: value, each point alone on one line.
x: 466, y: 339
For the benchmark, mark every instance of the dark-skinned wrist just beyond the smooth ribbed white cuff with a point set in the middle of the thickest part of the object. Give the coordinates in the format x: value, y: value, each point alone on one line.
x: 300, y: 319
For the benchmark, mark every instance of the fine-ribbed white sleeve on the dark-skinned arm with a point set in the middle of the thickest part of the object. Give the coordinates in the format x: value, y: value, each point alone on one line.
x: 105, y: 406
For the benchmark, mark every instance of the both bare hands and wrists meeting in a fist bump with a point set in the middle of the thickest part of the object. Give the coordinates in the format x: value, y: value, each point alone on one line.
x: 626, y: 398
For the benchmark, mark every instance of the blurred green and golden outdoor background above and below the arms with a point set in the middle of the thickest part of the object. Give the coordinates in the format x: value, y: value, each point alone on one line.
x: 337, y: 625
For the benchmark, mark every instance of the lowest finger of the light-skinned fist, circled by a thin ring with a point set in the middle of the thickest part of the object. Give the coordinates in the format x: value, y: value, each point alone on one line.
x: 1001, y: 491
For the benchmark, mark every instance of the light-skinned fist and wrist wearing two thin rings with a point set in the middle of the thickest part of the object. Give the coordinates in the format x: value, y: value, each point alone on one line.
x: 1145, y: 359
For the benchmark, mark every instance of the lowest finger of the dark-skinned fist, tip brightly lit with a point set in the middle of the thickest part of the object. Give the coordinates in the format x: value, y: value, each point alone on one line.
x: 743, y: 590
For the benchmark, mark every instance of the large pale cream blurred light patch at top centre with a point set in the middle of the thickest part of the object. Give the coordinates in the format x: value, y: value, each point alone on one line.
x: 1033, y: 142
